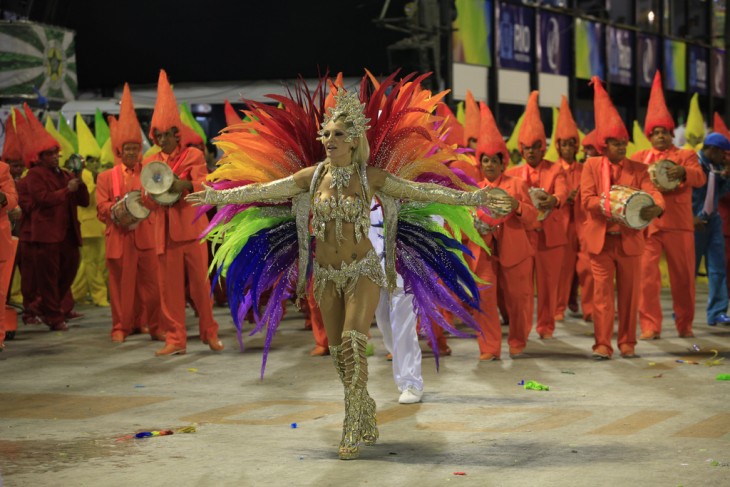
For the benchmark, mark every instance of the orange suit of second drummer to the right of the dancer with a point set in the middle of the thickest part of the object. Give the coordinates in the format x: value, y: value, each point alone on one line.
x: 549, y: 238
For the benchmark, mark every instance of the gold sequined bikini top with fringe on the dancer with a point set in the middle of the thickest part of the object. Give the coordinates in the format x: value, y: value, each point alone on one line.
x: 340, y: 208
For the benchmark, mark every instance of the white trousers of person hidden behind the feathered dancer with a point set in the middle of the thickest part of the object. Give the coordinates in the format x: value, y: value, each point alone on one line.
x: 397, y: 322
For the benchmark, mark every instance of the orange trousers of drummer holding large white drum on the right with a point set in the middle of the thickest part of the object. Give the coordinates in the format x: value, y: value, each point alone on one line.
x: 610, y: 263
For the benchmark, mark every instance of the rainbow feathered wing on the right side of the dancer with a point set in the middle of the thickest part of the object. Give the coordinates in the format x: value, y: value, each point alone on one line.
x: 408, y: 140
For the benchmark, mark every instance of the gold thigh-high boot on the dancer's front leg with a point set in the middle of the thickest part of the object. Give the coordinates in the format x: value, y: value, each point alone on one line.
x: 359, y: 407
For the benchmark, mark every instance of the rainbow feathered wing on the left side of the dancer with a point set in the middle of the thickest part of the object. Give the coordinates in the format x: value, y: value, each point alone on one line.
x: 256, y: 246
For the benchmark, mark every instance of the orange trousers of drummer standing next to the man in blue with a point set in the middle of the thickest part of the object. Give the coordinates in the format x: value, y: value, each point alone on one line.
x: 679, y: 248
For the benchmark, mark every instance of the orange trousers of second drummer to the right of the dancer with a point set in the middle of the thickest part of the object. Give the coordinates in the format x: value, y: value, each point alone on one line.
x: 548, y: 264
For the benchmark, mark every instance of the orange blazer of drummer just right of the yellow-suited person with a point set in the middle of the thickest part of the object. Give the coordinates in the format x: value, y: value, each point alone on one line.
x: 143, y: 234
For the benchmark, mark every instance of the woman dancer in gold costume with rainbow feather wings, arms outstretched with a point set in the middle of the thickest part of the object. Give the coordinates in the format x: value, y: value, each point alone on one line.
x: 270, y: 182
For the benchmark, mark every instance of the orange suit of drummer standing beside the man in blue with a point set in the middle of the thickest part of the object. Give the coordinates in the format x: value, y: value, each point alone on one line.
x: 673, y: 233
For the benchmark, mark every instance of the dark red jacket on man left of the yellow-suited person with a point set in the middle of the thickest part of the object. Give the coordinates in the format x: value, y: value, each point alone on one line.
x: 54, y: 208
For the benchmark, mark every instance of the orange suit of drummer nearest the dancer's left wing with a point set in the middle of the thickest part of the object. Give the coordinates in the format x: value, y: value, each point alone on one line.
x: 177, y: 233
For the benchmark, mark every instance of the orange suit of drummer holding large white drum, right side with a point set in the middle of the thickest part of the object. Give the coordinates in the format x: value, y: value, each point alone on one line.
x: 615, y: 251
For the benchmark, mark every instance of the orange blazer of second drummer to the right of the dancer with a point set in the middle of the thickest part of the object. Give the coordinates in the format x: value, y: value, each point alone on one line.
x: 551, y: 178
